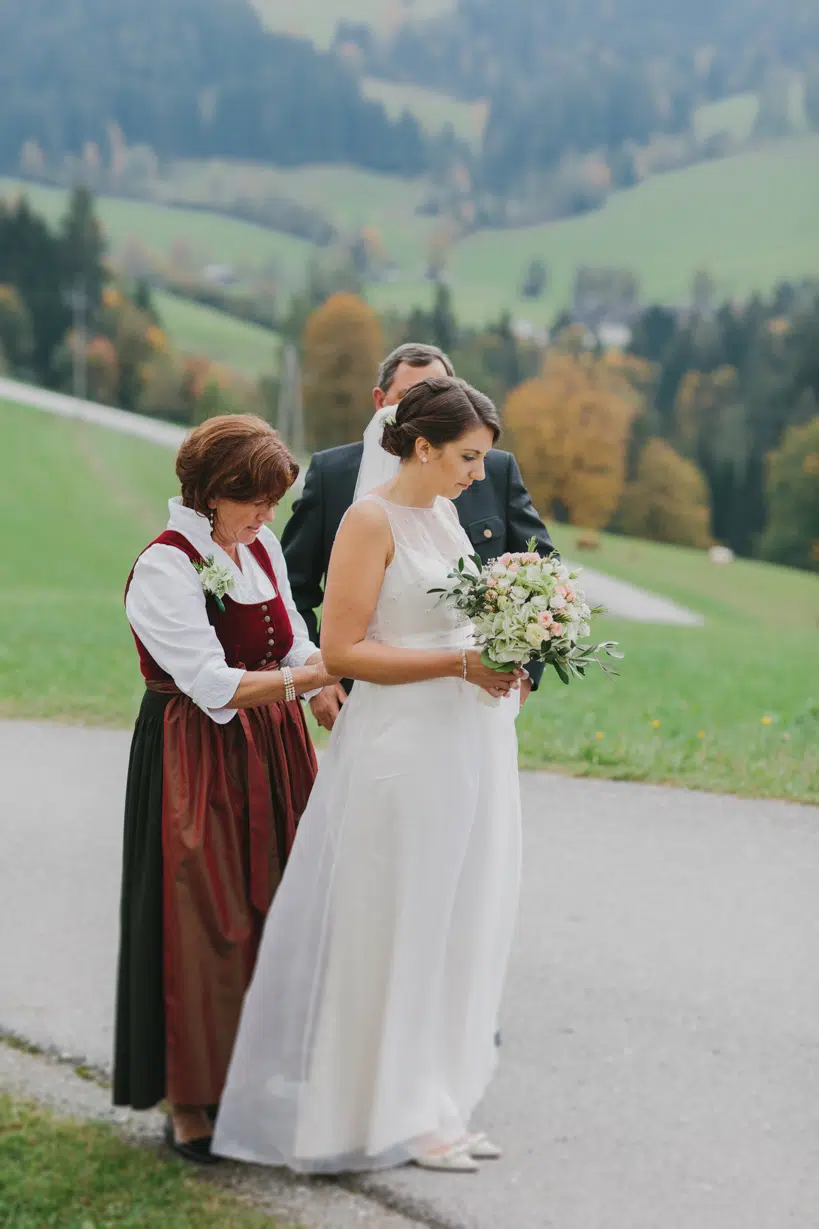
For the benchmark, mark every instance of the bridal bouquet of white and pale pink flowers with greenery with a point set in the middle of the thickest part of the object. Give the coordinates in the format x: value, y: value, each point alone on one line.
x: 528, y: 609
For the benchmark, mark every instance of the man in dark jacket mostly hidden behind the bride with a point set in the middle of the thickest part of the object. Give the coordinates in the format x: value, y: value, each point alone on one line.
x: 497, y: 514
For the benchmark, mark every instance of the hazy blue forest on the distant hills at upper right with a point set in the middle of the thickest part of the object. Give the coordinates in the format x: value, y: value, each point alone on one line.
x: 565, y: 82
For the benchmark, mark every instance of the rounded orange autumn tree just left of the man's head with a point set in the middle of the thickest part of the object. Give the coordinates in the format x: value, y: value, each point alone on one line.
x: 342, y: 347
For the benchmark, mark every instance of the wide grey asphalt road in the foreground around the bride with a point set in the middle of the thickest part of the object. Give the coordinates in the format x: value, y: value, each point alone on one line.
x: 661, y: 1060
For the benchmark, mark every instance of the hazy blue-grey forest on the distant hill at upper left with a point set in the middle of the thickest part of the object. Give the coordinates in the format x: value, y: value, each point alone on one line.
x: 188, y: 79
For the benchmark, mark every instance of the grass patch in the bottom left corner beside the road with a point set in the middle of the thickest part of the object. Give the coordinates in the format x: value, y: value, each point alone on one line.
x: 69, y: 1176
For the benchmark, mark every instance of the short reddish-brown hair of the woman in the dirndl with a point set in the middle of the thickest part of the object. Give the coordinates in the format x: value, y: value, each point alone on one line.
x: 234, y: 457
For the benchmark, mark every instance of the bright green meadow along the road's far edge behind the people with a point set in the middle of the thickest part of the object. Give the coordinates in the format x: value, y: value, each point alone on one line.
x: 732, y: 706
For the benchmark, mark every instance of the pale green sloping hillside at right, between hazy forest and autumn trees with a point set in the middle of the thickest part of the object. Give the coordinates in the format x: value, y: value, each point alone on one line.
x: 751, y: 221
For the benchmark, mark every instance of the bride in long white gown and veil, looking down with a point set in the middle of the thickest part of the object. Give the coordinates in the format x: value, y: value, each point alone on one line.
x: 367, y: 1035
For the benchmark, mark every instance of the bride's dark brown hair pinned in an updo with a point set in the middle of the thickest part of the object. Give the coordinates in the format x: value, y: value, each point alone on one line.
x: 440, y: 410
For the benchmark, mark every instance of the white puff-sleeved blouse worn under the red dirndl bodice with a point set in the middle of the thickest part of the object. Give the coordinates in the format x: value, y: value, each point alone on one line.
x: 167, y: 609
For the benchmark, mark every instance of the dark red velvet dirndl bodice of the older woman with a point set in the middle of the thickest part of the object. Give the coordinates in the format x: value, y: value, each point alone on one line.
x: 255, y: 637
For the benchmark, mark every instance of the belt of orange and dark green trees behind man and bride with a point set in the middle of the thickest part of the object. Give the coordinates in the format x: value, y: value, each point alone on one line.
x: 706, y: 431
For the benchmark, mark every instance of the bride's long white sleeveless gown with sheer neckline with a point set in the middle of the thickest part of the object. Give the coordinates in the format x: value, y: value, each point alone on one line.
x: 370, y: 1023
